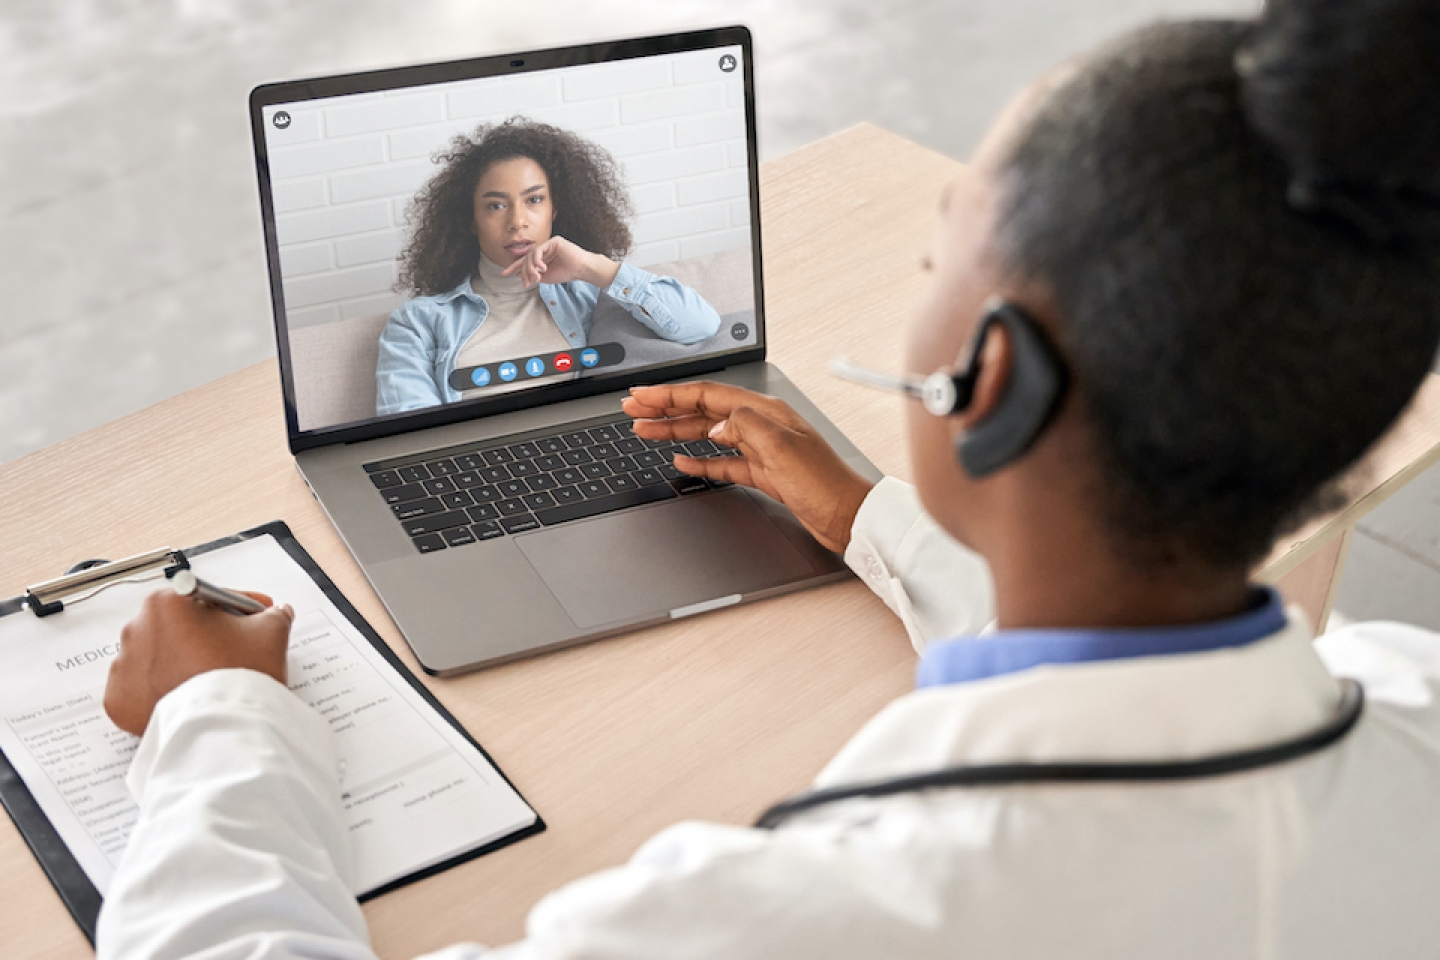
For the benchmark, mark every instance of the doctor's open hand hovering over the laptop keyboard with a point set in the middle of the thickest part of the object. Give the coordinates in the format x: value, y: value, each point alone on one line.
x: 783, y: 456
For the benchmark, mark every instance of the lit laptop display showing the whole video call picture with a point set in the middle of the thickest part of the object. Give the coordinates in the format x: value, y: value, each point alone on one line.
x: 453, y: 243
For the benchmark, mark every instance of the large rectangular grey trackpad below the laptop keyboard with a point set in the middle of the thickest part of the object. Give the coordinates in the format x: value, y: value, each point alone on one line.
x: 646, y: 562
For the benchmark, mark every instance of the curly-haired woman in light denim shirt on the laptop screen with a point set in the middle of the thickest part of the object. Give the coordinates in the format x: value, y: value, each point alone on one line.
x: 515, y: 241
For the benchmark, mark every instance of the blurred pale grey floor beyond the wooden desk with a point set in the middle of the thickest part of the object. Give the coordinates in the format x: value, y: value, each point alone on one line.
x: 130, y: 243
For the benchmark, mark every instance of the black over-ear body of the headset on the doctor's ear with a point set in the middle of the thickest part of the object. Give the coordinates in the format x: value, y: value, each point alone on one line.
x: 1038, y: 382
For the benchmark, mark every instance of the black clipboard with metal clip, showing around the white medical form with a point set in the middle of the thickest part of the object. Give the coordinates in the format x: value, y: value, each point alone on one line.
x: 60, y: 864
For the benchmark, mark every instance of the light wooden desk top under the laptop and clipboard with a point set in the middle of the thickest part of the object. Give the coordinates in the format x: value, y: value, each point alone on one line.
x: 706, y: 719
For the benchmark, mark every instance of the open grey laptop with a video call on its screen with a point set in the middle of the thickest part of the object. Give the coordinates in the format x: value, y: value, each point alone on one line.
x: 463, y: 428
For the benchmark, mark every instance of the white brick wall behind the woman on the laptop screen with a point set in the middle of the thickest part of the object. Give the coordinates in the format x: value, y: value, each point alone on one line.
x: 345, y: 169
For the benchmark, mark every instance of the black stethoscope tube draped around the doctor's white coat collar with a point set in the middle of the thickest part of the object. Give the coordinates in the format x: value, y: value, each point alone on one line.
x: 1349, y: 712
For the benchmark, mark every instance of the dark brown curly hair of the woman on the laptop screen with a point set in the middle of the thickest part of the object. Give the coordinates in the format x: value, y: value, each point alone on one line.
x: 585, y: 186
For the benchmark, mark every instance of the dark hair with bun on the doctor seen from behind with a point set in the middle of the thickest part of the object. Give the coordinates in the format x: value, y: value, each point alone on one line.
x: 1233, y: 352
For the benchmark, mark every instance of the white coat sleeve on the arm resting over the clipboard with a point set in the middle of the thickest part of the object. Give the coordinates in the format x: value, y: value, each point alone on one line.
x: 241, y: 848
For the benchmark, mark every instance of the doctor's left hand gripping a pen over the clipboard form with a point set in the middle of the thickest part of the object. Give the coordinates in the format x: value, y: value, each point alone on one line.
x: 175, y: 638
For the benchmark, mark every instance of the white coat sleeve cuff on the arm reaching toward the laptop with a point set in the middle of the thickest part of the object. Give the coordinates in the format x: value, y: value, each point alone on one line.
x: 938, y: 588
